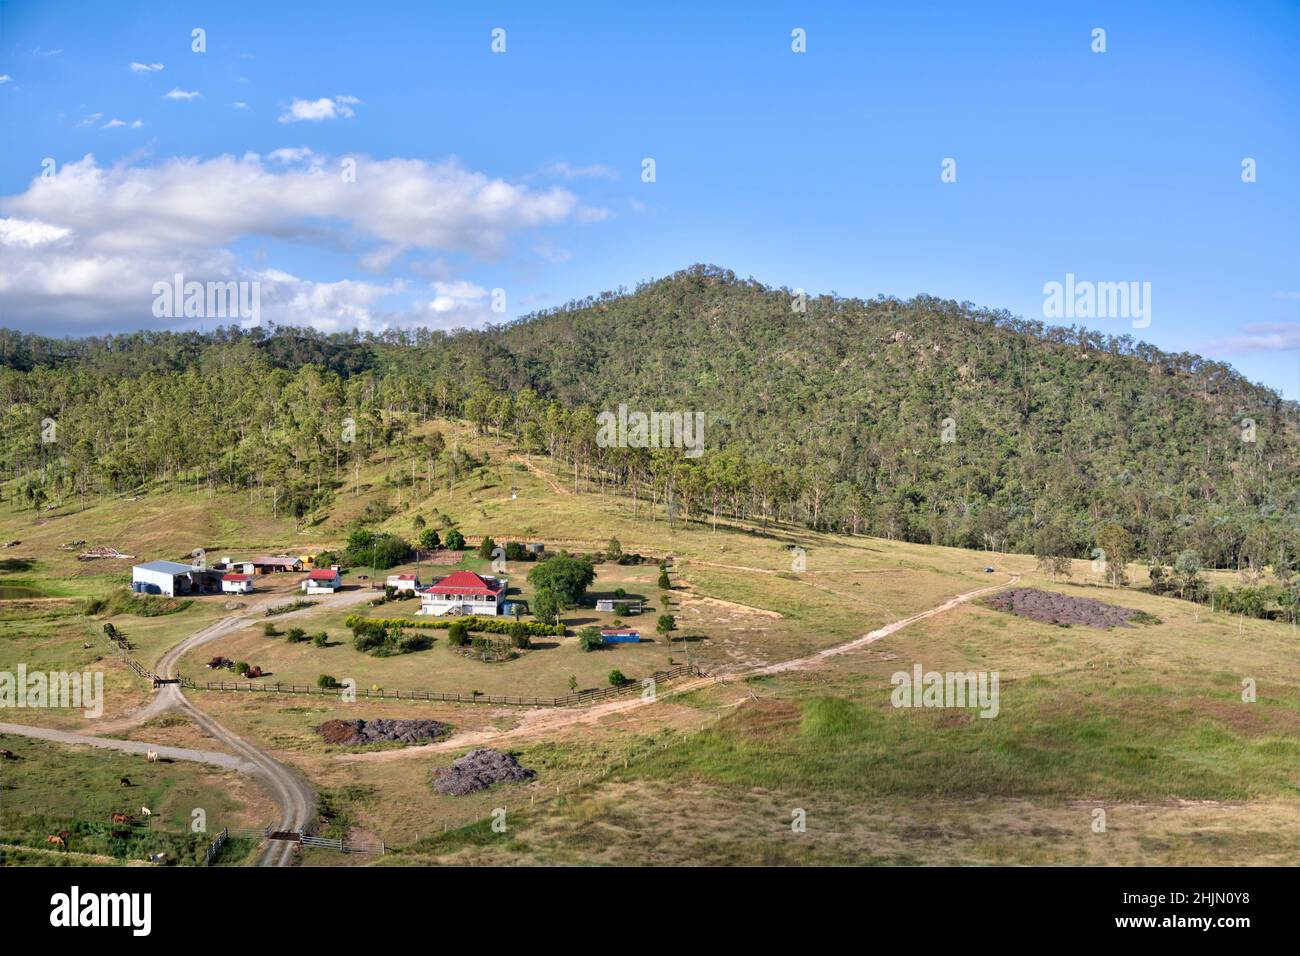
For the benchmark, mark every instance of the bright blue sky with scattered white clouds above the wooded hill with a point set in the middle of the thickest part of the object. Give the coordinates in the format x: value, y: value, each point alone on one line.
x: 522, y: 171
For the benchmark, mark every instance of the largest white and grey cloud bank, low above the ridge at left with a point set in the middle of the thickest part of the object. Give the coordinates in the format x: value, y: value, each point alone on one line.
x: 81, y: 252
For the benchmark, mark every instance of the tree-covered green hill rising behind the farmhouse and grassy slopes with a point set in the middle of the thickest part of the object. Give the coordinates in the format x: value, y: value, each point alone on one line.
x: 922, y: 419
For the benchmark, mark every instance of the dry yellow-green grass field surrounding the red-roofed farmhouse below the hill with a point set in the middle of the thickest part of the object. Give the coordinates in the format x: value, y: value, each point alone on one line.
x: 1146, y: 724
